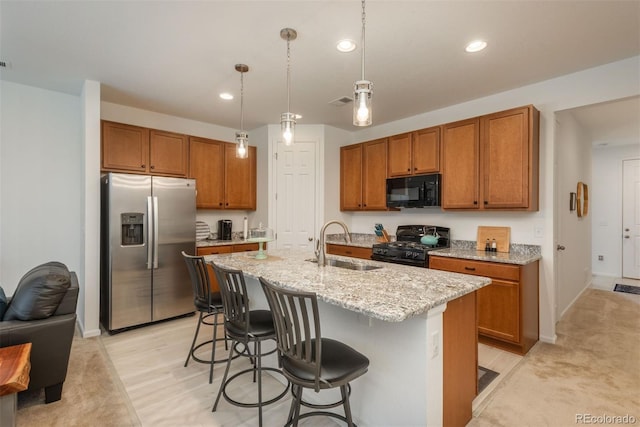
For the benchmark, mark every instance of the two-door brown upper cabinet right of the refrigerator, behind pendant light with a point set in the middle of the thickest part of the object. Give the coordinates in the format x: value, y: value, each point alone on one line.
x: 222, y: 180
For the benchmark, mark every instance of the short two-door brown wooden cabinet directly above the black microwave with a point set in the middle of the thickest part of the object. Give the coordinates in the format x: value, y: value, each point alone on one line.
x: 414, y: 153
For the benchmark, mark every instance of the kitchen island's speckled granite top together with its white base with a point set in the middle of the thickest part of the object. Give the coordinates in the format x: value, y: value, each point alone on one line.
x: 393, y: 314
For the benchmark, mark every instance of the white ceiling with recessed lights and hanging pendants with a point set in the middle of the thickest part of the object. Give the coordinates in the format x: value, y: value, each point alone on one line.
x: 175, y: 57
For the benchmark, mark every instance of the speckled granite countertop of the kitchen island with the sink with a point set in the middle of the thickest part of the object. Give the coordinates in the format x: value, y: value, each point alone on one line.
x: 392, y: 293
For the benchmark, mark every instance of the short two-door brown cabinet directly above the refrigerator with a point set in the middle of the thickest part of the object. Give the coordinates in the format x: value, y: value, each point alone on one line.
x: 134, y: 149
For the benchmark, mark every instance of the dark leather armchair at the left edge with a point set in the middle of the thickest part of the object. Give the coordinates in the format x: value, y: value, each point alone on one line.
x: 42, y: 311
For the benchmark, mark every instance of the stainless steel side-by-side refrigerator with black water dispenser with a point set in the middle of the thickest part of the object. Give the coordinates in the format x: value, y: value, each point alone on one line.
x: 146, y: 222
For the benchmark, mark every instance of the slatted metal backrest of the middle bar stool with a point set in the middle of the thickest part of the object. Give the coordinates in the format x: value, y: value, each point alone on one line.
x: 235, y: 300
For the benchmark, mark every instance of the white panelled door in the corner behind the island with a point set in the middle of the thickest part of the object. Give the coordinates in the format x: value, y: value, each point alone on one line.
x: 295, y: 195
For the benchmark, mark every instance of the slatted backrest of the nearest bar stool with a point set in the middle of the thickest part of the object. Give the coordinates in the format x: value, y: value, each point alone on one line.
x: 297, y: 323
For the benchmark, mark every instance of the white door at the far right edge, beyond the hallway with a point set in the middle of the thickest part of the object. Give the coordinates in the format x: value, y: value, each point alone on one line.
x: 631, y: 219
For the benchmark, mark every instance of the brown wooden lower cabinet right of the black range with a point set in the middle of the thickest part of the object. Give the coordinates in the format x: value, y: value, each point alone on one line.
x: 508, y: 307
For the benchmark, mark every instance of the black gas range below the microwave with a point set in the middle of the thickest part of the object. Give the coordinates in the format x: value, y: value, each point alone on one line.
x: 408, y: 249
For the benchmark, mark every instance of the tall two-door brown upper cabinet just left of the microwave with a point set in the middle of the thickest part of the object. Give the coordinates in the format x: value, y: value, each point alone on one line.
x: 363, y: 174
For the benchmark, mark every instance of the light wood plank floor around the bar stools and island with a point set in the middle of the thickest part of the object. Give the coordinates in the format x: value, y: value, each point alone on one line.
x: 163, y: 392
